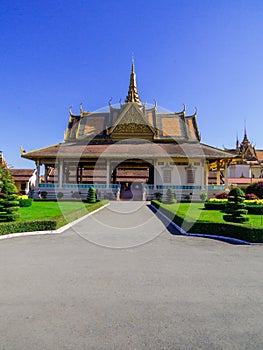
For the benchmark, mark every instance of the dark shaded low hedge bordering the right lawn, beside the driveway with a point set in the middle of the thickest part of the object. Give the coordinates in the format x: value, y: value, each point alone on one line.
x: 245, y: 233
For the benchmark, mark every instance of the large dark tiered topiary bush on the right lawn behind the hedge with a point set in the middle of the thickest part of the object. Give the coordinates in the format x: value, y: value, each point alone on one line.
x: 235, y: 208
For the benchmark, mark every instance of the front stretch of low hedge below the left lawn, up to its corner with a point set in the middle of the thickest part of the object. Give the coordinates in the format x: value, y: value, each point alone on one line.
x: 27, y: 226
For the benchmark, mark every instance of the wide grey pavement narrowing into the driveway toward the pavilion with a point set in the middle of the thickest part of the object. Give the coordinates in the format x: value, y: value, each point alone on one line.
x: 69, y: 291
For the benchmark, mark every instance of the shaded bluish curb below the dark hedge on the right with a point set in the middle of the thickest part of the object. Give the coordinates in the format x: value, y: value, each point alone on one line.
x: 203, y: 235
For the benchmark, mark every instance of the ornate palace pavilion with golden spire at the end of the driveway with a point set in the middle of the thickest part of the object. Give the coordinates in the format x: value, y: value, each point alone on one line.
x: 130, y: 151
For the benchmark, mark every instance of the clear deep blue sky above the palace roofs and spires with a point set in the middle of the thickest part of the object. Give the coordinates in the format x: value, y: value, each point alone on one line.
x: 57, y: 54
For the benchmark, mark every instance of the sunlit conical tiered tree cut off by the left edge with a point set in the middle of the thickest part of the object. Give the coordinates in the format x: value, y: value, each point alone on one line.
x: 9, y: 201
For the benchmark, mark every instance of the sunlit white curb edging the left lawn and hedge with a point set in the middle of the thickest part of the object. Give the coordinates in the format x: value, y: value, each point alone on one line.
x: 52, y: 232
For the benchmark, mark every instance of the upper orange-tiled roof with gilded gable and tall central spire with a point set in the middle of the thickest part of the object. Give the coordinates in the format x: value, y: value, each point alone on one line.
x: 132, y: 119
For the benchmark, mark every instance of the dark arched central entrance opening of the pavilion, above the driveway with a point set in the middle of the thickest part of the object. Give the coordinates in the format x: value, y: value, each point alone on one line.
x: 132, y: 175
